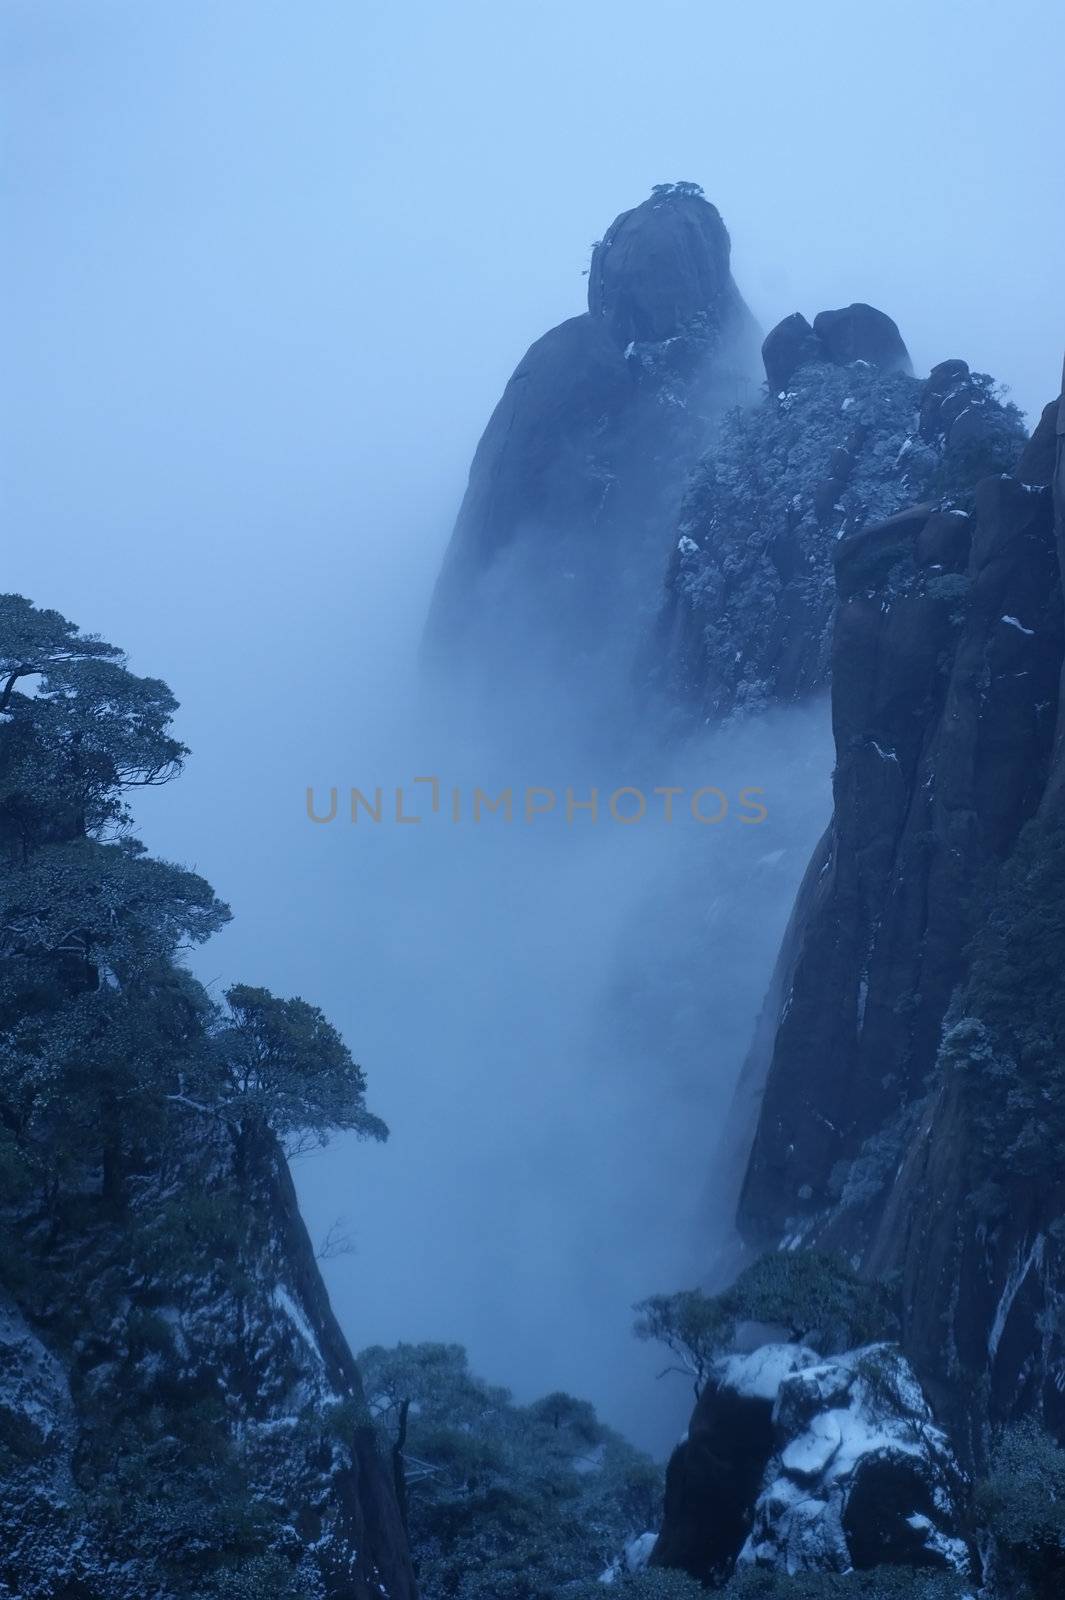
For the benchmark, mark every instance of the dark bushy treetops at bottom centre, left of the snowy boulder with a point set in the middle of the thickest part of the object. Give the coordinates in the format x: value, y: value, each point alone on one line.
x: 505, y: 1502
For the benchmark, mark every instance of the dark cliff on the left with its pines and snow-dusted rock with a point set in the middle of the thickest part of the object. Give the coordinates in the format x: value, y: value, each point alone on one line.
x: 180, y: 1414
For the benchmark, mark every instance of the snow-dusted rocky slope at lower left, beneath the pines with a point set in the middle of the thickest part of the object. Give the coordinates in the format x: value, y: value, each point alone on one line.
x: 201, y: 1388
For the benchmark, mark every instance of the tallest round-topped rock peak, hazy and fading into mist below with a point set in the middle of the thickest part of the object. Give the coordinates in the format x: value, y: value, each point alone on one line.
x: 565, y: 524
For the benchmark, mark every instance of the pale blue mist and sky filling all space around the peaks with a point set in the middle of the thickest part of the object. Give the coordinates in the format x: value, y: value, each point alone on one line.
x: 253, y: 351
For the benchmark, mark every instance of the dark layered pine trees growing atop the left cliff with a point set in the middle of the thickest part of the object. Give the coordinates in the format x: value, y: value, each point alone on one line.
x: 102, y: 1026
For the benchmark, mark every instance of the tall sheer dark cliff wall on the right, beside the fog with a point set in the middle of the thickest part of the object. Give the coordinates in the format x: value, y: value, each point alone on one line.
x: 943, y: 716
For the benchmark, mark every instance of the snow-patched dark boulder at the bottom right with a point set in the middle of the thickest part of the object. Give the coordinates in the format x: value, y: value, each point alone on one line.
x: 796, y: 1463
